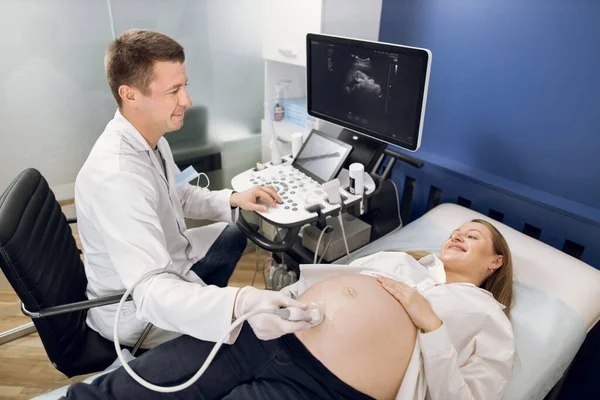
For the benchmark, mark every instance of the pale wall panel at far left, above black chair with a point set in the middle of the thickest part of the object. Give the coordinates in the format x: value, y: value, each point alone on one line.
x: 53, y: 99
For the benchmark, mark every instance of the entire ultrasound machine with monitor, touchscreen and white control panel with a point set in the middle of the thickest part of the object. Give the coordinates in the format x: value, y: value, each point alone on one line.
x: 335, y: 200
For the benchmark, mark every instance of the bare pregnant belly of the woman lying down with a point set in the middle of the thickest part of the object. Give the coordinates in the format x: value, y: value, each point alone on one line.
x: 366, y: 338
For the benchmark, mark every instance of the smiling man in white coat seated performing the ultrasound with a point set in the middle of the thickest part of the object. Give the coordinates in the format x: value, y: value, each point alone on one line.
x: 131, y: 213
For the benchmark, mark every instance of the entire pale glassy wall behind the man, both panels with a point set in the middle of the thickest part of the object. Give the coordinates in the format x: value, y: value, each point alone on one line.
x: 54, y: 100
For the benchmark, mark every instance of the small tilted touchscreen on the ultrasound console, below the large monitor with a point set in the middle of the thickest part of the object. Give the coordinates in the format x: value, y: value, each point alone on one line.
x: 320, y: 157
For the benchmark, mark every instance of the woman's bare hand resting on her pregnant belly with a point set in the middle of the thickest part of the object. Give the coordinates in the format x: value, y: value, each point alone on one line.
x: 418, y: 308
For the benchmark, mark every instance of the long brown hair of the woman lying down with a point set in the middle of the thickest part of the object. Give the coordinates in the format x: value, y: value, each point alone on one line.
x: 500, y: 283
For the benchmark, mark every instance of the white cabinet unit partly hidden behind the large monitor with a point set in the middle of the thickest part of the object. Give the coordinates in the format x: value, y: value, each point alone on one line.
x: 286, y: 23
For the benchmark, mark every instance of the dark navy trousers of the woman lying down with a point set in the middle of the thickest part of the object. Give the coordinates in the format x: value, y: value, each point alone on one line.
x: 249, y: 369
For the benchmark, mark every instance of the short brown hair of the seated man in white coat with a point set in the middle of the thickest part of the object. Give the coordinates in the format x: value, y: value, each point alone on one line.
x: 130, y: 59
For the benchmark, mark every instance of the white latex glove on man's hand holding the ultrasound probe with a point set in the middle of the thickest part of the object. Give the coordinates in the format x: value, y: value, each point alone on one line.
x: 268, y: 326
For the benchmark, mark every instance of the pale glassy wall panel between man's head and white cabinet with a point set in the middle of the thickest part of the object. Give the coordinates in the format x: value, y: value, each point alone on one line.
x: 223, y: 45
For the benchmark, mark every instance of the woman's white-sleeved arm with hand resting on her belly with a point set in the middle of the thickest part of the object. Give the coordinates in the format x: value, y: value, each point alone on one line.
x: 485, y: 372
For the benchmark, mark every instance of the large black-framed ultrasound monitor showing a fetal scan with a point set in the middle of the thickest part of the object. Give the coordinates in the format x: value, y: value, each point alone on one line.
x: 377, y: 89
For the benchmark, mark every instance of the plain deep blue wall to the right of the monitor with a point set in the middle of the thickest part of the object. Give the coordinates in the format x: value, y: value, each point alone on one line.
x: 514, y: 96
